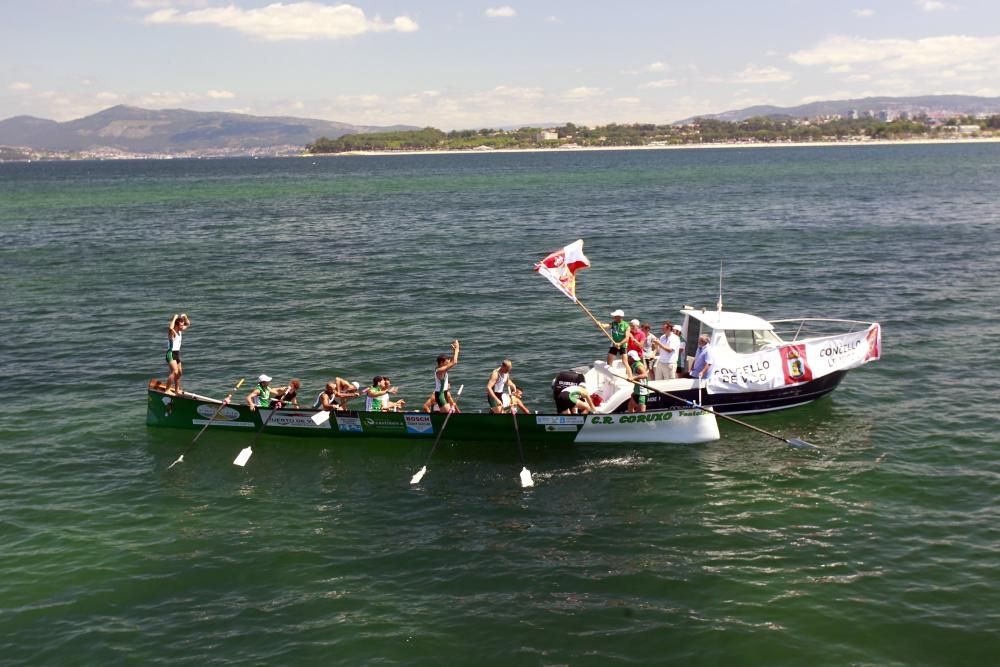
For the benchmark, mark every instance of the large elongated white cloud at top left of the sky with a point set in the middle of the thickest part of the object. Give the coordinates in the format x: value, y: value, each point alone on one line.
x: 293, y: 21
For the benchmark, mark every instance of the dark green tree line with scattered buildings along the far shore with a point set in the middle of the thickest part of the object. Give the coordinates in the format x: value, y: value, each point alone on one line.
x: 757, y: 130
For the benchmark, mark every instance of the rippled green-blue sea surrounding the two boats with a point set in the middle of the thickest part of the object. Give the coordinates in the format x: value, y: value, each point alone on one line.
x: 882, y: 549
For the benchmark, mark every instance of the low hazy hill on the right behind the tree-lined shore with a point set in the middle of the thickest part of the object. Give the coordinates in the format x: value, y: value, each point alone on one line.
x: 957, y: 104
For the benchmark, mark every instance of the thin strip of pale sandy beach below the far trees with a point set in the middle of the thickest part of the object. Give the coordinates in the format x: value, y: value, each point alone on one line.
x: 574, y: 149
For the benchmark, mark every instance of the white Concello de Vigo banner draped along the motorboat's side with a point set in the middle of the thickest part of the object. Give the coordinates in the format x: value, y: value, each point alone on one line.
x: 793, y: 363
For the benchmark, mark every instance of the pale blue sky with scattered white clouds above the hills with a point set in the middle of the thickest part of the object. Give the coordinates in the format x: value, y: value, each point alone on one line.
x: 456, y: 64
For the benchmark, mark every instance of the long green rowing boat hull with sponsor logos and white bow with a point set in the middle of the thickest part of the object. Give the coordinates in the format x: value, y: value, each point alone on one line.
x: 660, y: 426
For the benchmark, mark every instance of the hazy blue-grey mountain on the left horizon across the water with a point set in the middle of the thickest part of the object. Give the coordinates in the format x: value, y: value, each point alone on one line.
x: 175, y: 131
